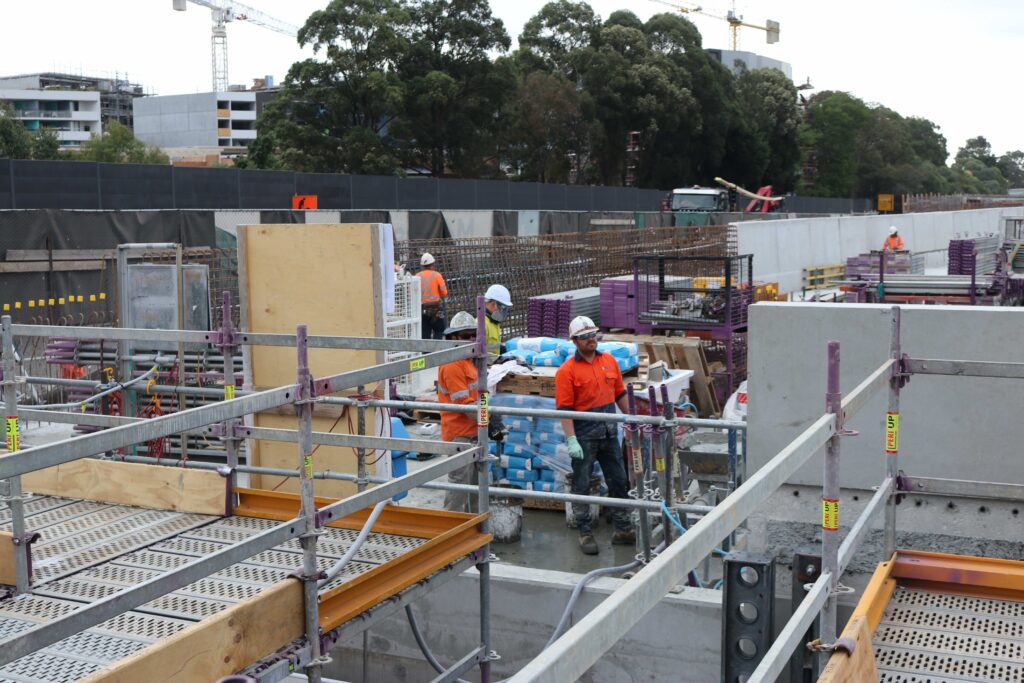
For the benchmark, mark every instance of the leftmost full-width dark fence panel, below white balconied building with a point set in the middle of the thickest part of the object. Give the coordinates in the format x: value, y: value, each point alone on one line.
x: 48, y: 185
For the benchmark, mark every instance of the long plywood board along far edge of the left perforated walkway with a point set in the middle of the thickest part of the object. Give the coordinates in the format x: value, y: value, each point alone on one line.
x: 176, y: 489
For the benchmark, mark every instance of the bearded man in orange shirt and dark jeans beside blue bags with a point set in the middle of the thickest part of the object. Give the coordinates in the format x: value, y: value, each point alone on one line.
x: 590, y: 381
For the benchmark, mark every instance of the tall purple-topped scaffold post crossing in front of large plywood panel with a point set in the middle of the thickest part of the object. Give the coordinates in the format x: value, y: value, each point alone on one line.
x: 311, y: 575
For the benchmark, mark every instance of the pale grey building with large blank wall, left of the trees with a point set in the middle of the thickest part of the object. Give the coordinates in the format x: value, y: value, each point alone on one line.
x: 208, y: 121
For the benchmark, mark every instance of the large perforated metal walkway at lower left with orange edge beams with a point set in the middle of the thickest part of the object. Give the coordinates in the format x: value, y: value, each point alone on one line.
x: 90, y: 551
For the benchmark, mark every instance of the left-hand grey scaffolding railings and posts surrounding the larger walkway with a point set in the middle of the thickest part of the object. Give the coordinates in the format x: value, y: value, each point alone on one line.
x: 305, y: 519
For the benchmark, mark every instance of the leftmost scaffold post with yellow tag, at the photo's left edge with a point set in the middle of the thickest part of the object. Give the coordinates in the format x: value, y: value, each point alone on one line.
x: 13, y: 488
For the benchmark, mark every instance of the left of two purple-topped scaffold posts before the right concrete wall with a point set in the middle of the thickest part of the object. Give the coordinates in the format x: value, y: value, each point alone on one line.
x: 831, y: 498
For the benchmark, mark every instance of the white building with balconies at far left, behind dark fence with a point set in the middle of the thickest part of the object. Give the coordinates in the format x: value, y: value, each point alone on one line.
x: 73, y: 115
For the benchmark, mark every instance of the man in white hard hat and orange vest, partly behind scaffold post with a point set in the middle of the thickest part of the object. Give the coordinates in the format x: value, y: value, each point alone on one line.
x: 458, y: 383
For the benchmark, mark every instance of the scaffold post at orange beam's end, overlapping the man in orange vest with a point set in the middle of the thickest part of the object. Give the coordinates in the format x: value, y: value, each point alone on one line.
x: 484, y: 484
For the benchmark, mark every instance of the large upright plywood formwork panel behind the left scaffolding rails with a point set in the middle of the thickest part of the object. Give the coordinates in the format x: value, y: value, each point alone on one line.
x: 328, y: 278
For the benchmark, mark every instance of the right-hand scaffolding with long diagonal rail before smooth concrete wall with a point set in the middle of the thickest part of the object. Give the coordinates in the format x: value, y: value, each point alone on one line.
x: 570, y: 657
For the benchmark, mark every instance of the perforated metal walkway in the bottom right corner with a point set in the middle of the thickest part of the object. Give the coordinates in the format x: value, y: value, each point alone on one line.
x: 934, y: 637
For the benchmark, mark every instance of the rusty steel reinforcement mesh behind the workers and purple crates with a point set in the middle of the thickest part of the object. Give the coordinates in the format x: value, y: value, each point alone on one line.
x: 534, y: 266
